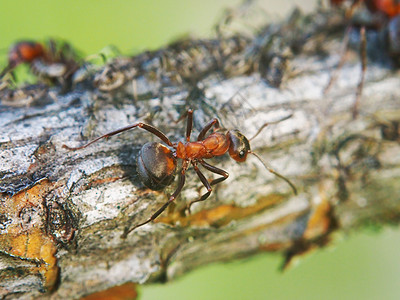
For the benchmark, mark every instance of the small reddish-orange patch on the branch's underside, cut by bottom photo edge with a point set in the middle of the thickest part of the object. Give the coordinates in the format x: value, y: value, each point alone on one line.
x: 126, y: 291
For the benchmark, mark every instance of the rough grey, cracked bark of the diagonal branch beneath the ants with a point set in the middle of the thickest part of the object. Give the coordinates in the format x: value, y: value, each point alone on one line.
x: 63, y: 212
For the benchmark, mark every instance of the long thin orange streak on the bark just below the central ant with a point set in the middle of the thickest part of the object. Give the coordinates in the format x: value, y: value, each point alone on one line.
x: 223, y: 214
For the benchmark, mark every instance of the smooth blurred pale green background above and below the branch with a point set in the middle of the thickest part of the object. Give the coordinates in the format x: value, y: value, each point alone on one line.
x: 364, y: 265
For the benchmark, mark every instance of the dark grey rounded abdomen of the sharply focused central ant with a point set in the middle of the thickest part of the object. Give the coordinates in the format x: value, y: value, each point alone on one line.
x: 156, y: 165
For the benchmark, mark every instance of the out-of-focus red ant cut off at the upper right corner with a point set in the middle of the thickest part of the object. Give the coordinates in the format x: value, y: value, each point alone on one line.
x: 384, y: 14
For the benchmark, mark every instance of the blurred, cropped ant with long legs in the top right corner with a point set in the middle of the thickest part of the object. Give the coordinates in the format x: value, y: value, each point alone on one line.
x: 383, y: 16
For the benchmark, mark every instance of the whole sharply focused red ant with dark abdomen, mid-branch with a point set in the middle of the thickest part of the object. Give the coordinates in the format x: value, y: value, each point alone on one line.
x: 157, y: 163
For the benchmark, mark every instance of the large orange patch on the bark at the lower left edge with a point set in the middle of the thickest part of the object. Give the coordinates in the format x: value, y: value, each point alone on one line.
x: 25, y: 236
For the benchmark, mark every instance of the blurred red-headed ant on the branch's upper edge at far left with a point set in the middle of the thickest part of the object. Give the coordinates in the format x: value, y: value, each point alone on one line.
x: 55, y: 63
